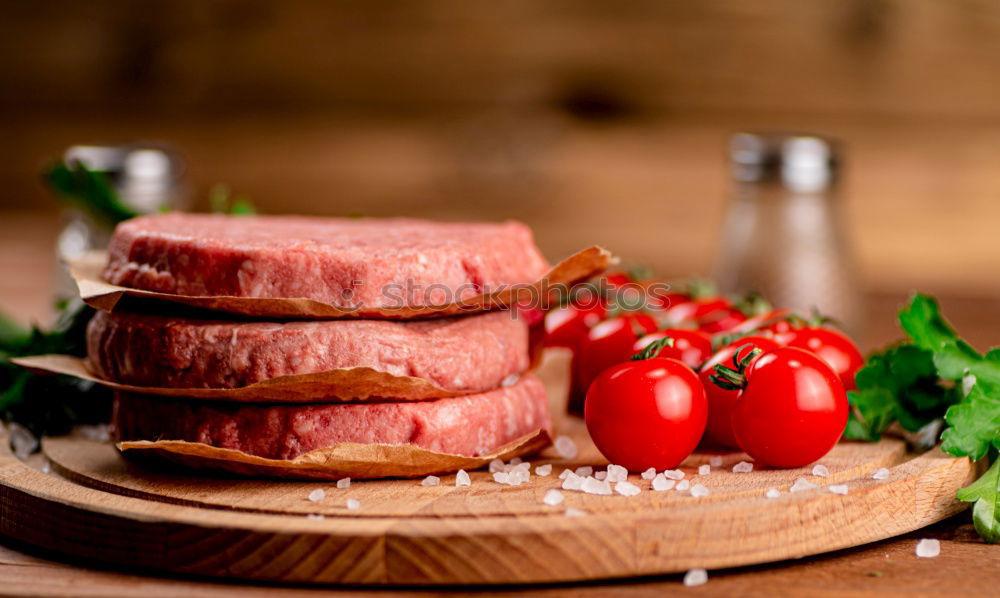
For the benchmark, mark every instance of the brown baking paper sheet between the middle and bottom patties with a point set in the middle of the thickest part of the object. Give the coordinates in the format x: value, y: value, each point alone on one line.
x: 345, y: 384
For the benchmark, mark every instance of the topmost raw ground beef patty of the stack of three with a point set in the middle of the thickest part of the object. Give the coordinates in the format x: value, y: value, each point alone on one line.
x: 350, y: 263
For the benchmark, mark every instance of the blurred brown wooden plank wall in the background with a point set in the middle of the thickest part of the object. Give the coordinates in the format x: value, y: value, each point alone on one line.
x: 593, y: 122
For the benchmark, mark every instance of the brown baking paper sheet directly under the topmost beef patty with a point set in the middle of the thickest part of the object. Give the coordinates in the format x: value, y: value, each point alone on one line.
x: 99, y: 294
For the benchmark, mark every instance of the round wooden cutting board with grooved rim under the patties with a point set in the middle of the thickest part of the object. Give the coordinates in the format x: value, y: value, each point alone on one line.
x: 92, y: 503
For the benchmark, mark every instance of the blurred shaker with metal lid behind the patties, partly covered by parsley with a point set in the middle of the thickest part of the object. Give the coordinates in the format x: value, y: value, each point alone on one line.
x: 146, y: 179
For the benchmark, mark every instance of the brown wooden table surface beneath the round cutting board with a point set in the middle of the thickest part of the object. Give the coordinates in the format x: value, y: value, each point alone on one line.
x: 966, y: 566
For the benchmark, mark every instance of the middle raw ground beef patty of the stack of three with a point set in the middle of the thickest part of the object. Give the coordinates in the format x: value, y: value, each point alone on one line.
x: 463, y: 354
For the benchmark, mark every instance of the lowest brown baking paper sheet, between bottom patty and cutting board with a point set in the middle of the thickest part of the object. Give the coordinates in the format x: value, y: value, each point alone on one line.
x: 349, y: 459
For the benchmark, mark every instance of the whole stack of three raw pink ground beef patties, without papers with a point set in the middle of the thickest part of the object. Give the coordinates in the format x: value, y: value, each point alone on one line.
x: 365, y: 264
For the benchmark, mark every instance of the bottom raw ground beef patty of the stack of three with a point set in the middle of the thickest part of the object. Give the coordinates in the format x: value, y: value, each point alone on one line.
x: 467, y: 425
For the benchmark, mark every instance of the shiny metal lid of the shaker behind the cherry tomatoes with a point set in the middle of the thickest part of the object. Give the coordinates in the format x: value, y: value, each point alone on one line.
x: 801, y: 162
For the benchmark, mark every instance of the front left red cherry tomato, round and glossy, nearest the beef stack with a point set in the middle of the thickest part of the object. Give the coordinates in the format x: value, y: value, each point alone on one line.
x: 646, y: 413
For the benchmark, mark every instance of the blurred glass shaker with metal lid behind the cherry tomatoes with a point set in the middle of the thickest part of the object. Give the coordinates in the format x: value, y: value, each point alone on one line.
x: 783, y: 234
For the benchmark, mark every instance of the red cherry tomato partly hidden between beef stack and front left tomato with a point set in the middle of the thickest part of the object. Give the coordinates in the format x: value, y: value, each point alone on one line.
x: 605, y: 344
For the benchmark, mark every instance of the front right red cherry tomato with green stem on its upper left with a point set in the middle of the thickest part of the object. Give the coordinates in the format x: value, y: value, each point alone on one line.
x: 791, y: 410
